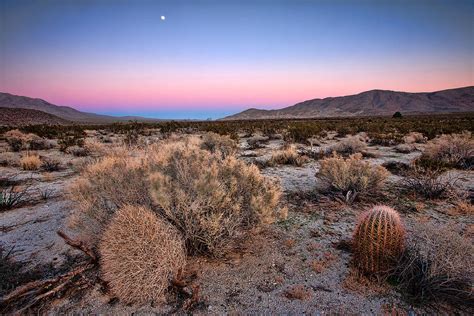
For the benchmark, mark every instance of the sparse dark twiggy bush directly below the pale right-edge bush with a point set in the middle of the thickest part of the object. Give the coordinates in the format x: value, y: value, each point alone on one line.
x: 429, y: 183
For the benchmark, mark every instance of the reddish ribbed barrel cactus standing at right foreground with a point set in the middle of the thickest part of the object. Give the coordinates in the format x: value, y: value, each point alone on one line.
x: 378, y: 240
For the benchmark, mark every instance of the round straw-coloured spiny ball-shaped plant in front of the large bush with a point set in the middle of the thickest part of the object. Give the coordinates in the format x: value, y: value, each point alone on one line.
x: 139, y: 255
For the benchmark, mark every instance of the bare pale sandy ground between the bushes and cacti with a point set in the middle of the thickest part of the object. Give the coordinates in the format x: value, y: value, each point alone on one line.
x: 296, y: 254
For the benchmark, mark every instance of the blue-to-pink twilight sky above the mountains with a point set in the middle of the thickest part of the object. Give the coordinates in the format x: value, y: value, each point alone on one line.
x: 208, y: 59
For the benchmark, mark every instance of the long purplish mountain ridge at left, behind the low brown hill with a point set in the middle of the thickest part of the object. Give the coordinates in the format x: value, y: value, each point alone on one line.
x: 8, y: 100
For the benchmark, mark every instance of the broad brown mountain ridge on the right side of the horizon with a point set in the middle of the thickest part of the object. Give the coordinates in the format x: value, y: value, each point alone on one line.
x: 373, y: 102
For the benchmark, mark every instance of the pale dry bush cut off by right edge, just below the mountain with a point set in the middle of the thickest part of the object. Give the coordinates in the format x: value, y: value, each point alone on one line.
x: 455, y: 150
